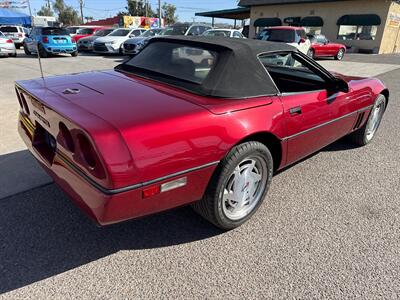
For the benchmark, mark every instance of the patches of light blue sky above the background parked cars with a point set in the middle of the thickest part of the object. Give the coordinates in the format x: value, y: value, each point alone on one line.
x: 185, y: 8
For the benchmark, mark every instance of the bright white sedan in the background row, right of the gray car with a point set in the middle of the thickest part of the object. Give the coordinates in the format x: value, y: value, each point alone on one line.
x: 113, y: 42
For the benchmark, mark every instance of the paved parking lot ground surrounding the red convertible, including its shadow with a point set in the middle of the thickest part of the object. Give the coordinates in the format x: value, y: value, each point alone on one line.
x: 329, y: 228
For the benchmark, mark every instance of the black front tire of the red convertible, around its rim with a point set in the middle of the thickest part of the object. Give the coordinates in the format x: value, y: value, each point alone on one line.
x: 361, y: 136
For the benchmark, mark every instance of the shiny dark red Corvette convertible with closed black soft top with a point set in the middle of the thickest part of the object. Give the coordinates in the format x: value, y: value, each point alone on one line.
x: 191, y: 120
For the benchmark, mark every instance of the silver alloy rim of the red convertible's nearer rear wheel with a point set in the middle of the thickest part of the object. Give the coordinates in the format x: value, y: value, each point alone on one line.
x: 244, y: 188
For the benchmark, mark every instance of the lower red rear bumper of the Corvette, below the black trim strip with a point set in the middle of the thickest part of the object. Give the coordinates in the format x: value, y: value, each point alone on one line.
x: 111, y: 206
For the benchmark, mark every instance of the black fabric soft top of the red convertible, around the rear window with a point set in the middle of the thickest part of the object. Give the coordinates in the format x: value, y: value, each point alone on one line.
x: 238, y: 73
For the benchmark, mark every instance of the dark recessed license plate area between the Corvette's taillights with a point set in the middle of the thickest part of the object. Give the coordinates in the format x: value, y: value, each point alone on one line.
x: 44, y: 143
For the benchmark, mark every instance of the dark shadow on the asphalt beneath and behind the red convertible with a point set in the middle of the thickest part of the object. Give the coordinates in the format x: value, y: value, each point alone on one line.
x: 42, y: 234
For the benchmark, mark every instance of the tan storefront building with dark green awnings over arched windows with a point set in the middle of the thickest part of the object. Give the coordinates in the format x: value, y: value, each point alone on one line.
x: 371, y: 26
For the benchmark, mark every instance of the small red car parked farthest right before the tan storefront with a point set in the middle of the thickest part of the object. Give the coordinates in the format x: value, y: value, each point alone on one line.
x: 322, y: 47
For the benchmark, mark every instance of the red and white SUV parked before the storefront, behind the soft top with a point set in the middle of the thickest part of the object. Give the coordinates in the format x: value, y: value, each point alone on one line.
x: 293, y: 36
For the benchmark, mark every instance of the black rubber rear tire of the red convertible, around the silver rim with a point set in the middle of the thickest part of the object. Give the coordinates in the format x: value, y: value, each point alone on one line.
x: 210, y: 206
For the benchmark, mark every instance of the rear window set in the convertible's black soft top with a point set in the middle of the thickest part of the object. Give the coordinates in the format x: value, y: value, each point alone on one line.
x: 179, y: 61
